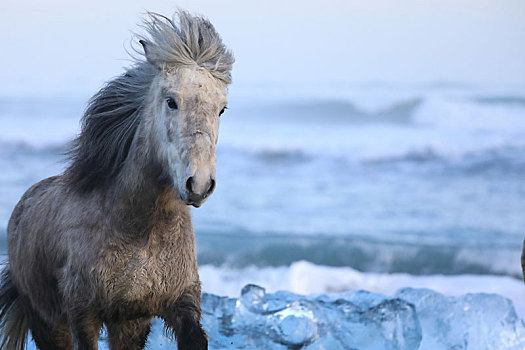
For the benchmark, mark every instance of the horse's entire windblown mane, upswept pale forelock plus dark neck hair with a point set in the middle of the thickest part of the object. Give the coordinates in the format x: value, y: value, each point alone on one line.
x: 113, y: 114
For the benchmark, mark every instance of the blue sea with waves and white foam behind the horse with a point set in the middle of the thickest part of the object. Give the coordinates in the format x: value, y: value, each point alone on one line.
x: 378, y: 180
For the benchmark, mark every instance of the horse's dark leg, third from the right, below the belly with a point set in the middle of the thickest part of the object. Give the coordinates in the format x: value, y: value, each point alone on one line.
x: 85, y: 329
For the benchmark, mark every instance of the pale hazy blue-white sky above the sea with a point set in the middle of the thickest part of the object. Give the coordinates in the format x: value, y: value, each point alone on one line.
x: 57, y: 46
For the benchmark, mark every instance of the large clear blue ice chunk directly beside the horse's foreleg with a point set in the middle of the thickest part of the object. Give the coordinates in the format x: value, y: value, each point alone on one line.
x: 286, y: 320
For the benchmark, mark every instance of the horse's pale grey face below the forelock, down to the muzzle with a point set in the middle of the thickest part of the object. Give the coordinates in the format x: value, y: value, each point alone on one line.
x: 188, y: 102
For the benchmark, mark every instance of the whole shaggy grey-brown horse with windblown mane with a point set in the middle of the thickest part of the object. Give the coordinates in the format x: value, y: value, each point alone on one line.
x: 110, y: 241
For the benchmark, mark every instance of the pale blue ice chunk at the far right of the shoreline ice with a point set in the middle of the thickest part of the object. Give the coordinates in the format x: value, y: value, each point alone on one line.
x: 471, y: 321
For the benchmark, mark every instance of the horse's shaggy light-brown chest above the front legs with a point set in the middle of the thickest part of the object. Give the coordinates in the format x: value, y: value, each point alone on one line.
x: 152, y: 274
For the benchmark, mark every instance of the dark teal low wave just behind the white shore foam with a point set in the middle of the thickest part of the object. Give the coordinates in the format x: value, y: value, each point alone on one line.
x: 364, y: 254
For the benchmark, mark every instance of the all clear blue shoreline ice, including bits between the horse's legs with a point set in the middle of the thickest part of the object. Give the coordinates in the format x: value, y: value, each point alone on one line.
x: 410, y: 319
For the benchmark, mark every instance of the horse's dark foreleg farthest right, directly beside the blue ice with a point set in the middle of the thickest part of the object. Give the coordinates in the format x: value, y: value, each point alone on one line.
x: 183, y: 318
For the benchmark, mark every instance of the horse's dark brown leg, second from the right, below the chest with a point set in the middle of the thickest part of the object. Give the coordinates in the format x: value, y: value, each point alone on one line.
x: 130, y: 334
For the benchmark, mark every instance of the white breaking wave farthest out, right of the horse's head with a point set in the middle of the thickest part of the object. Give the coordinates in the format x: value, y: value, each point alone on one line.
x: 432, y: 128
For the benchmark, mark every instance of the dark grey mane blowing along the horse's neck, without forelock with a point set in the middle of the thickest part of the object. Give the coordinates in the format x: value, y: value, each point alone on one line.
x: 108, y: 127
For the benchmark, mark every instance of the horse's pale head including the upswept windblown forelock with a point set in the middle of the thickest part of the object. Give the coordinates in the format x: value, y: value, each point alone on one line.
x: 186, y: 99
